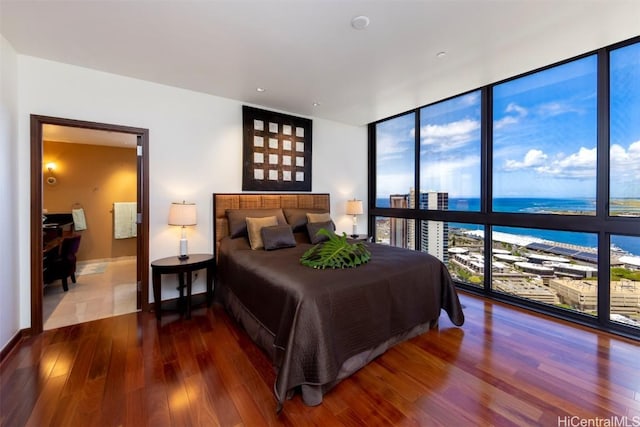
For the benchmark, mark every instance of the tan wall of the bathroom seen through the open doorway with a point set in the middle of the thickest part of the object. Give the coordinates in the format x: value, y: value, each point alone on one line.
x: 93, y: 177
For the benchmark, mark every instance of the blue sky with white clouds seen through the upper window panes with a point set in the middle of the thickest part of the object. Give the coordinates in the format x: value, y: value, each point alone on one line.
x: 544, y: 136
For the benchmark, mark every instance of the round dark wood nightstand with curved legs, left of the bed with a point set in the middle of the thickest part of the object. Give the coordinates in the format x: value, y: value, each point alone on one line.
x: 173, y: 265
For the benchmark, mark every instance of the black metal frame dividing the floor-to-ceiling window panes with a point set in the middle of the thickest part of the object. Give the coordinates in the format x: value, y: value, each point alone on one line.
x: 602, y: 223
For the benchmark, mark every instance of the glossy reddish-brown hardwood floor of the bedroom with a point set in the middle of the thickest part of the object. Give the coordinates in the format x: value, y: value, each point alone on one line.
x: 503, y: 367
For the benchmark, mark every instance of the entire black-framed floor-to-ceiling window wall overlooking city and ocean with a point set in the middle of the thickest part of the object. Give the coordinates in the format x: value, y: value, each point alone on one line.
x: 528, y: 189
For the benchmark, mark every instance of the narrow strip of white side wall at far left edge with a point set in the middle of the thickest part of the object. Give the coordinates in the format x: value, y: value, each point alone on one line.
x: 9, y: 258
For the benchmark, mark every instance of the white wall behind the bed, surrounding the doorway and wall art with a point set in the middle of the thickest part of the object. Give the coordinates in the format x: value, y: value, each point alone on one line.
x: 195, y: 149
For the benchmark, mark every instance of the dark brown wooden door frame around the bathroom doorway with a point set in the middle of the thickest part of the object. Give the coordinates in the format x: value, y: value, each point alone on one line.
x: 142, y: 244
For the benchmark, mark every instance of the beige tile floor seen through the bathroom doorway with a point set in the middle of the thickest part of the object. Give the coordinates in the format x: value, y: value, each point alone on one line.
x: 93, y: 296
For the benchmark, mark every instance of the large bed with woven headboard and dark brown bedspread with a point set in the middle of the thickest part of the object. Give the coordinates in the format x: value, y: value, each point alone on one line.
x: 320, y: 326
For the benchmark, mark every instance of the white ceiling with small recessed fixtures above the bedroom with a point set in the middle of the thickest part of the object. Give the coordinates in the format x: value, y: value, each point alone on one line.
x: 305, y: 51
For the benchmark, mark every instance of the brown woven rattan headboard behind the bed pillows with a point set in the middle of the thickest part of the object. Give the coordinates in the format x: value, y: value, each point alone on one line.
x: 224, y: 201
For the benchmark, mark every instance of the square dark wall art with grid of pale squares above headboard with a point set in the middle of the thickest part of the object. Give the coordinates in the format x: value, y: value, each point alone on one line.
x: 276, y: 151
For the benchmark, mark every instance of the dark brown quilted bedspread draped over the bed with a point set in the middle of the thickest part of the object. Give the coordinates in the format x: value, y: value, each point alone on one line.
x: 321, y: 318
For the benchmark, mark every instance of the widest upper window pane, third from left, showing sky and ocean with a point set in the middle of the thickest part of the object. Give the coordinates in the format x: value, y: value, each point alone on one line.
x: 545, y: 141
